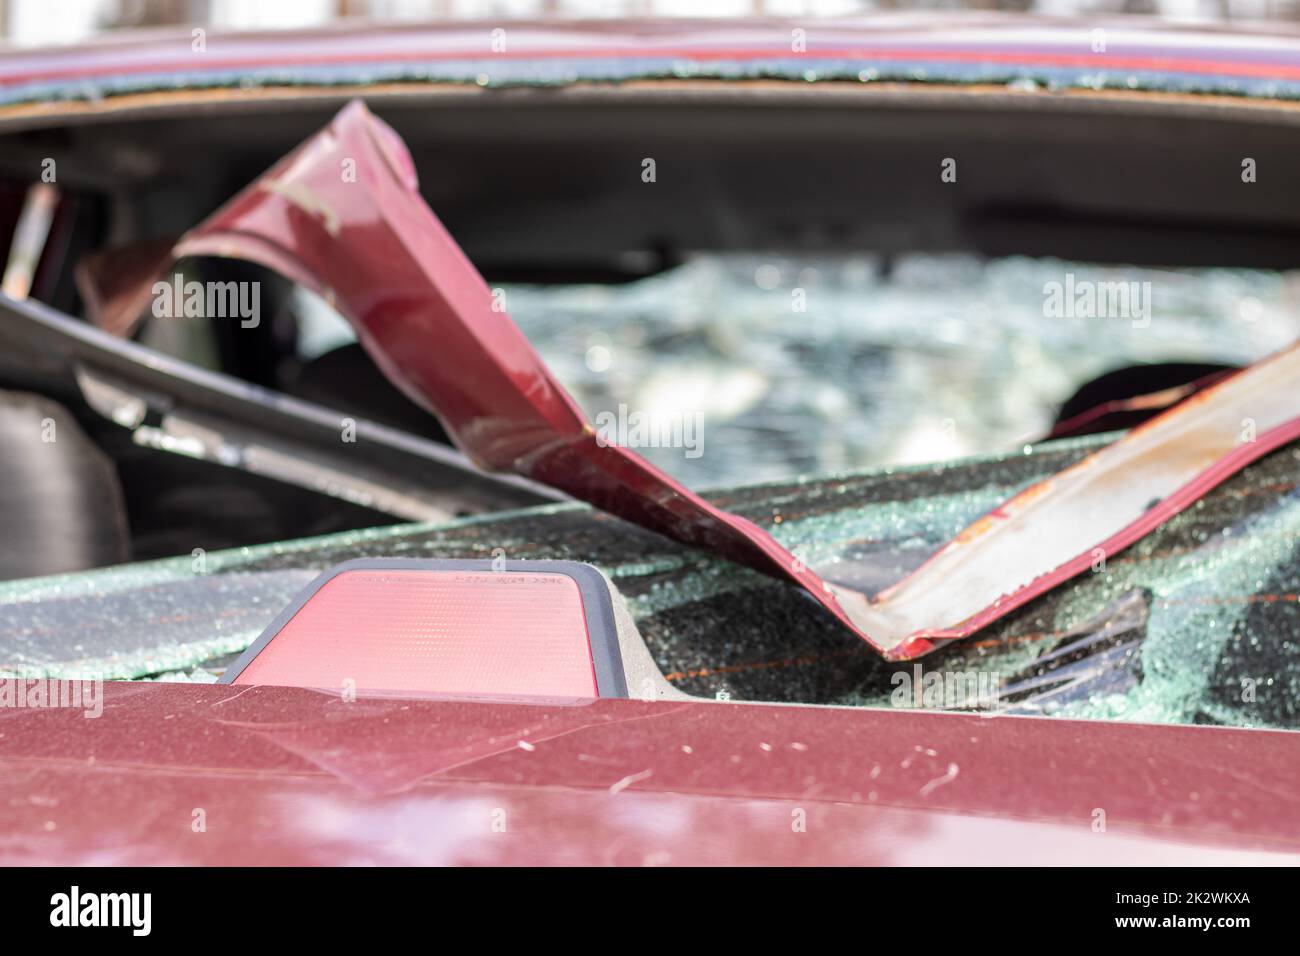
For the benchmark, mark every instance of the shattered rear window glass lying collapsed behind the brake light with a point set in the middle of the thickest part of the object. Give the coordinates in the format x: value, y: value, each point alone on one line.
x: 1194, y: 625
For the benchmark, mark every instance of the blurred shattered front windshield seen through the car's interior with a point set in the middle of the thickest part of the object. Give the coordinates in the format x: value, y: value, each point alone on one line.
x: 822, y: 365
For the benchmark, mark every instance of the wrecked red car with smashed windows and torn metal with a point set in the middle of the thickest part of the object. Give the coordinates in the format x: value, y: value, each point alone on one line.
x: 731, y: 687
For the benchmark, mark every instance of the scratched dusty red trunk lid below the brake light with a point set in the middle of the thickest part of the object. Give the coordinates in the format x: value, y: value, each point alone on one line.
x: 288, y: 776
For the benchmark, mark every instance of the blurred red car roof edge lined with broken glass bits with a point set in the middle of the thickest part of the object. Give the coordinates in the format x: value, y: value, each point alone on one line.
x: 974, y: 49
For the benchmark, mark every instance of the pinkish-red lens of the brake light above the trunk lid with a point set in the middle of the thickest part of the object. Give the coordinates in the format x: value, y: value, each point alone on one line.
x: 467, y: 633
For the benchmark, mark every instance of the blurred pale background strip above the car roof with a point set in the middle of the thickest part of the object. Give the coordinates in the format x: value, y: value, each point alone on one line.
x: 60, y: 21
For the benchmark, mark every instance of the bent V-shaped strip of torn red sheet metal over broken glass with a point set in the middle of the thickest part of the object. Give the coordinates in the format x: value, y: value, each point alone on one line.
x: 343, y: 217
